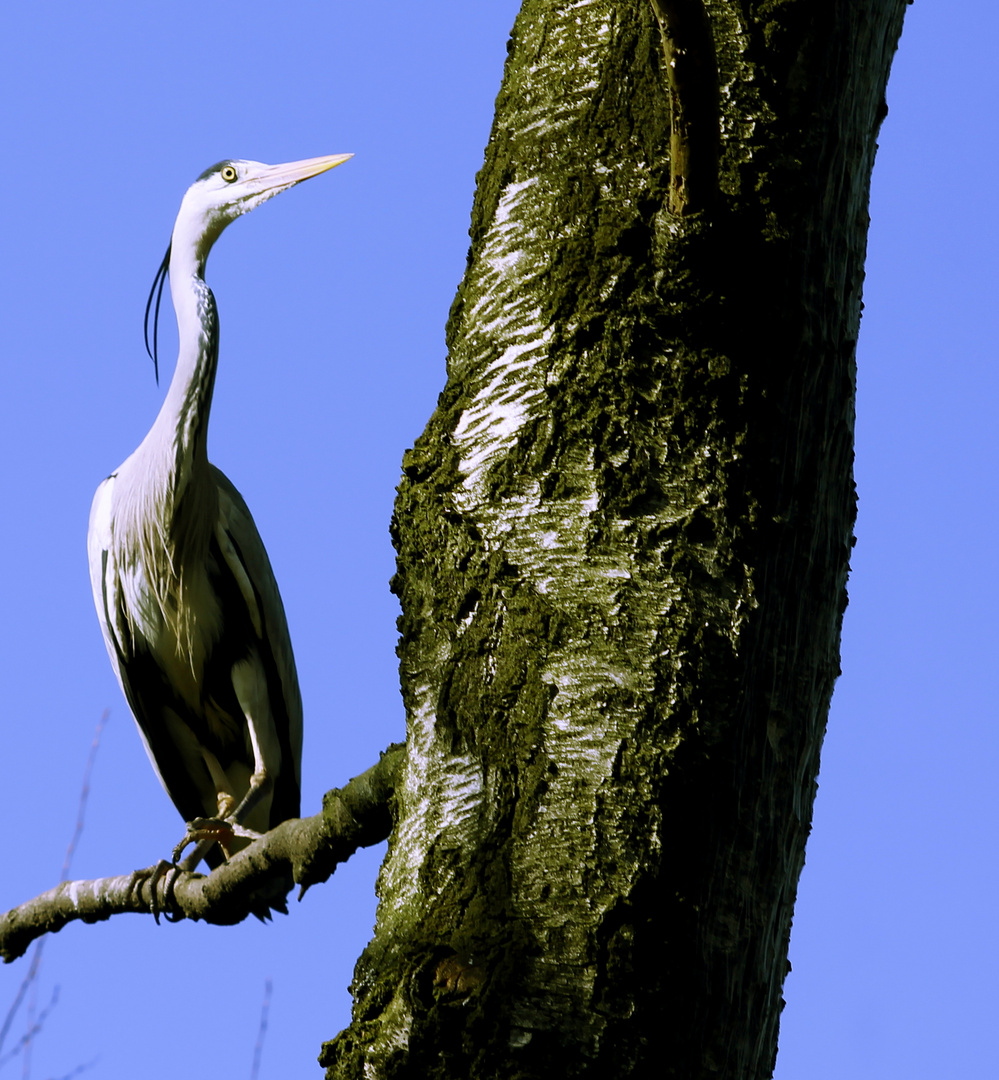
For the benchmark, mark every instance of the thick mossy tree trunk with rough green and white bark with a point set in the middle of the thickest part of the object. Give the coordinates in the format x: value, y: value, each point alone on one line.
x: 624, y: 546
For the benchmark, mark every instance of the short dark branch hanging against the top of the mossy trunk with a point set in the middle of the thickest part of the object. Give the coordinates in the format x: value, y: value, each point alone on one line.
x: 695, y: 120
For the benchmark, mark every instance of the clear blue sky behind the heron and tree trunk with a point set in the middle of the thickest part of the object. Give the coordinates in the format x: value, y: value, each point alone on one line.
x: 111, y: 113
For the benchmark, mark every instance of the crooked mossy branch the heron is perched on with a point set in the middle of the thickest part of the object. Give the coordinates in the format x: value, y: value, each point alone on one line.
x: 302, y: 852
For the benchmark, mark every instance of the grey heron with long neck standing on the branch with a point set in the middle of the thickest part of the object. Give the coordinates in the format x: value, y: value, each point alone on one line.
x: 192, y: 616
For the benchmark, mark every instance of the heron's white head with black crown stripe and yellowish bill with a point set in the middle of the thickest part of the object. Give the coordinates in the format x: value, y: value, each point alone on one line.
x: 232, y: 188
